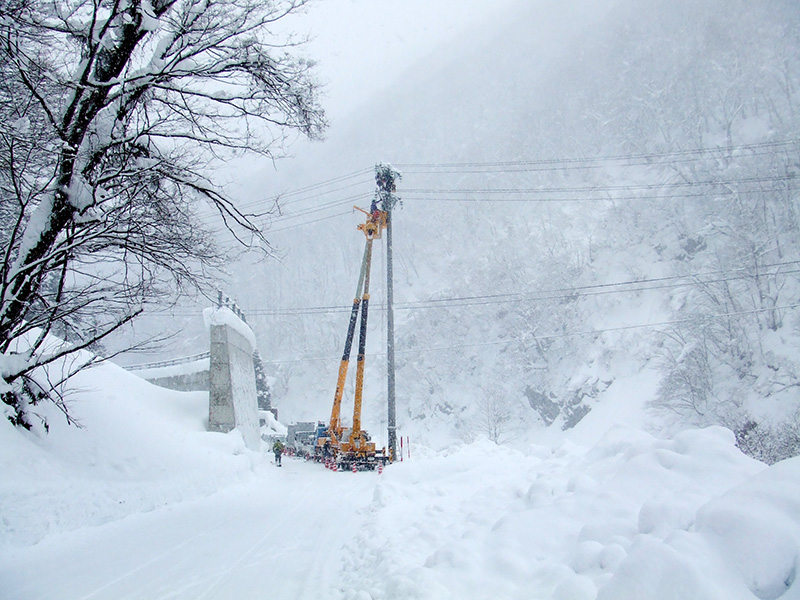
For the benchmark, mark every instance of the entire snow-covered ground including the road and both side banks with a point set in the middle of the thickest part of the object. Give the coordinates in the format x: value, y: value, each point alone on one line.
x: 142, y: 503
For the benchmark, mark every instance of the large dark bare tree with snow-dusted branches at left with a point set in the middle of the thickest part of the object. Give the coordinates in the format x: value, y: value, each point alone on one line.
x: 111, y: 112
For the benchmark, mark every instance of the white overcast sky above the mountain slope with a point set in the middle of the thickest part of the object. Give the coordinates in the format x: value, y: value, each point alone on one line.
x: 363, y: 46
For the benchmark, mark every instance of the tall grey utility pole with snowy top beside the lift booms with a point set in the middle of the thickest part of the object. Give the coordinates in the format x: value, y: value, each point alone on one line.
x: 386, y: 179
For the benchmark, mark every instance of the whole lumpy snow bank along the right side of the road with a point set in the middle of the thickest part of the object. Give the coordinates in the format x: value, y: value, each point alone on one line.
x: 634, y: 517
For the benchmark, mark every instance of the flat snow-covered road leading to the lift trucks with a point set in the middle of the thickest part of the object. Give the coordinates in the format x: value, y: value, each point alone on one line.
x: 280, y: 536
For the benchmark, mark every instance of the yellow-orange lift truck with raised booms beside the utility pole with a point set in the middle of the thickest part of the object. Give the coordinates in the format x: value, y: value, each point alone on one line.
x: 353, y: 448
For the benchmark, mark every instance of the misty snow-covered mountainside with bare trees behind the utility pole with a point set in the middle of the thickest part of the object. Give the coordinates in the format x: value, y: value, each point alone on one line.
x: 597, y: 197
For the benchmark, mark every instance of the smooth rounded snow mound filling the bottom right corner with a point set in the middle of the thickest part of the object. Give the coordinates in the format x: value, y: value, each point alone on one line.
x: 744, y: 544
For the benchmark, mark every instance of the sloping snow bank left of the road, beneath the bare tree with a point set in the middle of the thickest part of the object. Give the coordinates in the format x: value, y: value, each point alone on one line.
x: 138, y: 447
